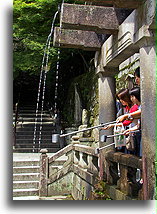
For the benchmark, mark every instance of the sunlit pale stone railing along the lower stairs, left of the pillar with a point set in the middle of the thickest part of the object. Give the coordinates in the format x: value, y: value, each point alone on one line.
x: 81, y: 161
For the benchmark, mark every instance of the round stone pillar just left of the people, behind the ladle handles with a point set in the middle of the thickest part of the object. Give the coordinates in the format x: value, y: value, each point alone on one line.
x: 107, y: 112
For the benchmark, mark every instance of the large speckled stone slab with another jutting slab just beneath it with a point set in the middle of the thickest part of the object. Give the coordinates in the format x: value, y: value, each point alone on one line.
x: 92, y: 18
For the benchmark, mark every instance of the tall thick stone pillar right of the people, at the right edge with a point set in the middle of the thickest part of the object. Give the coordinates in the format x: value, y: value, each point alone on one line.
x: 148, y: 118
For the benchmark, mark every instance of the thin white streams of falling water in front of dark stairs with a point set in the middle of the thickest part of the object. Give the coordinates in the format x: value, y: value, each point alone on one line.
x: 42, y: 82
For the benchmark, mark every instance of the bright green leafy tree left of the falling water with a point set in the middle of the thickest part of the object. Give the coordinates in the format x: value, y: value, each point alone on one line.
x: 32, y: 21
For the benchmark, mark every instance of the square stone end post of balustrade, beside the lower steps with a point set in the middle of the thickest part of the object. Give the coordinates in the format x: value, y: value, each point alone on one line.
x: 43, y: 188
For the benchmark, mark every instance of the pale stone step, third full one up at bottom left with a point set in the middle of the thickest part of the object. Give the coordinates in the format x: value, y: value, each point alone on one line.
x: 26, y: 177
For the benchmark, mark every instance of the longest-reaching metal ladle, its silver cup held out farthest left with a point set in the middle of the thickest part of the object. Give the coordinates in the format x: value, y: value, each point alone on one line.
x: 56, y: 137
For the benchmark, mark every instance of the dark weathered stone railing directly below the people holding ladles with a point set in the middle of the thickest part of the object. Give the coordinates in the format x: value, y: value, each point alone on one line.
x: 122, y: 184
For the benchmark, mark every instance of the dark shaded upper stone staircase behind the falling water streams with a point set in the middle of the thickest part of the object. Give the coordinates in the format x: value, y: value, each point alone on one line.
x: 25, y: 131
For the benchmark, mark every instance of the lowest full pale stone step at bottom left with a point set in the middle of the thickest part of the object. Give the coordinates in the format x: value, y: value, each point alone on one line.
x: 25, y: 192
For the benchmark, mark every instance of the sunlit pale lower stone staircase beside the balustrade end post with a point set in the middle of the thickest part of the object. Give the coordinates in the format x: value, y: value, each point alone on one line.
x: 26, y: 171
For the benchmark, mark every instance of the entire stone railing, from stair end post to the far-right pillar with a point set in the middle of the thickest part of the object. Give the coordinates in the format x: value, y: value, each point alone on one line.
x: 84, y: 168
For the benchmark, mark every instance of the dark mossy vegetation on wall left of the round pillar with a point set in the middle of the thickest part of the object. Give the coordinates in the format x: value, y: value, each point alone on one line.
x: 87, y: 85
